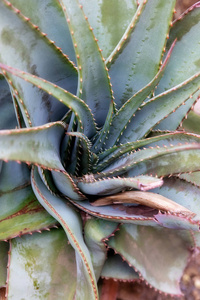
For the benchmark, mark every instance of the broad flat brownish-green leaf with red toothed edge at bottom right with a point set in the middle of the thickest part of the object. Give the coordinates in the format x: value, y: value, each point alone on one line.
x: 151, y: 250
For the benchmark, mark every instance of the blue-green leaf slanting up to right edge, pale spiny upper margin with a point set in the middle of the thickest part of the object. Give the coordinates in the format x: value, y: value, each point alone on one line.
x: 155, y: 110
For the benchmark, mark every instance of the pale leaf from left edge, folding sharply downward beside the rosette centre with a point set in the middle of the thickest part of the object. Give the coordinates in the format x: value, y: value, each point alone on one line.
x: 40, y: 146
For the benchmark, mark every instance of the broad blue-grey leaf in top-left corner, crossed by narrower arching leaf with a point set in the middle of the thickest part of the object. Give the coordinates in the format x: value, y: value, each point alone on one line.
x: 23, y: 46
